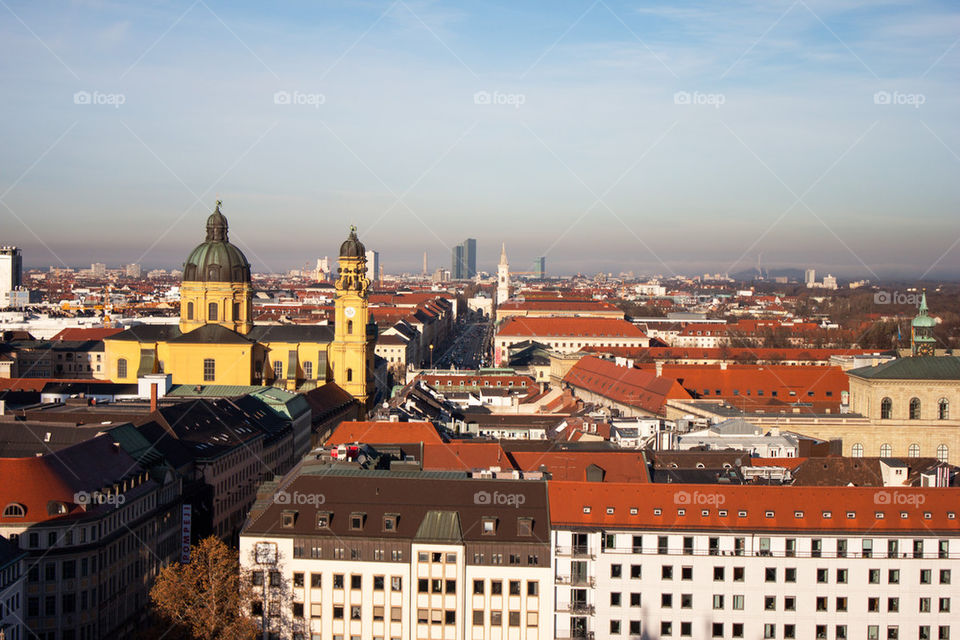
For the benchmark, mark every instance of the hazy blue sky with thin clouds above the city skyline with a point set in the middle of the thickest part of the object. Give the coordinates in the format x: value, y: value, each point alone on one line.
x: 655, y: 137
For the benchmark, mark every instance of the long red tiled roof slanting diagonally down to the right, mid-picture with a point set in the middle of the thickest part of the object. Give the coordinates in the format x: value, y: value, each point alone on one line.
x: 633, y: 387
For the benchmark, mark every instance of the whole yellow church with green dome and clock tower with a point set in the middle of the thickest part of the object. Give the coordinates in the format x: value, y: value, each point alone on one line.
x: 217, y: 343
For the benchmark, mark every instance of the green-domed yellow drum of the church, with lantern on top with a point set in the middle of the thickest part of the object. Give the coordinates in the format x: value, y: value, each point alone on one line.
x: 216, y: 285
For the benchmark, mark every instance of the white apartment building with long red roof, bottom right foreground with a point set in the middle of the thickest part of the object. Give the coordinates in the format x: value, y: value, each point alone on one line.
x: 715, y: 561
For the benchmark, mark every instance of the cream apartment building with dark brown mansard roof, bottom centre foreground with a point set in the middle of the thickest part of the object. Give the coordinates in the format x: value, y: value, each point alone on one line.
x: 386, y: 555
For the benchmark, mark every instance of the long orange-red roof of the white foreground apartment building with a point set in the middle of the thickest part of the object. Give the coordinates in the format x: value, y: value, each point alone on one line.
x: 752, y: 508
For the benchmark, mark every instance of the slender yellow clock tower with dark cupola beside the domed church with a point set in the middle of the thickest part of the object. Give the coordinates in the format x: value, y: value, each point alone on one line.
x: 352, y: 349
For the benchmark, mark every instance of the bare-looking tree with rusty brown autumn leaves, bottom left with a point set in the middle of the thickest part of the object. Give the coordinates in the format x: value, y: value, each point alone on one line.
x: 204, y: 600
